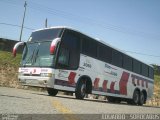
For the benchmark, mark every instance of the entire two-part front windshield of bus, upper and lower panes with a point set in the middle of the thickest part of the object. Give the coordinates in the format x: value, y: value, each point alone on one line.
x: 37, y: 50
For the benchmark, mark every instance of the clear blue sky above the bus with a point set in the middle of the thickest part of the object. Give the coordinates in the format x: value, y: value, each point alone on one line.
x: 132, y: 26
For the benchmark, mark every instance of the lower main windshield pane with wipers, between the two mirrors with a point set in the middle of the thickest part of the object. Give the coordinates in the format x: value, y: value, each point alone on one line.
x: 37, y: 54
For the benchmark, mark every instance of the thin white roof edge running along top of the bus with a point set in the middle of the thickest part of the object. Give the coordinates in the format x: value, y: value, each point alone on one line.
x: 97, y: 39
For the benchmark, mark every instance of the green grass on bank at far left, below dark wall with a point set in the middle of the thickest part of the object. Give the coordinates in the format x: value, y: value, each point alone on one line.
x: 6, y: 58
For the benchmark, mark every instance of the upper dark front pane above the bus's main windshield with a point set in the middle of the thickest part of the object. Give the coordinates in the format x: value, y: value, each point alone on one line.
x: 47, y: 34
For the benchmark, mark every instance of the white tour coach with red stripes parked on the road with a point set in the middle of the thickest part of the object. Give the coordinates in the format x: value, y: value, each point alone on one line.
x: 64, y: 59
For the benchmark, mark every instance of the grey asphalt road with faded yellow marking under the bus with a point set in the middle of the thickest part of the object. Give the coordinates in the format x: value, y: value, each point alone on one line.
x: 19, y: 101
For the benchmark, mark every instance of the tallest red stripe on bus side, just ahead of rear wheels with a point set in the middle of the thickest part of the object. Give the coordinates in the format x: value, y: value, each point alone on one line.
x: 123, y: 83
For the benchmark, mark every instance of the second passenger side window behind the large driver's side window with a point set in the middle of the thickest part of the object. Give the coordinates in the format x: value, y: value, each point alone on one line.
x: 105, y: 53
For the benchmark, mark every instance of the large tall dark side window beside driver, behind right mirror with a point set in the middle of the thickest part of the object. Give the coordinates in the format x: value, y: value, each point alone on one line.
x: 69, y: 51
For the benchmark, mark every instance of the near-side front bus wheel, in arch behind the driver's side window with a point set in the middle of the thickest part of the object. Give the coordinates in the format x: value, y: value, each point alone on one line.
x: 81, y: 90
